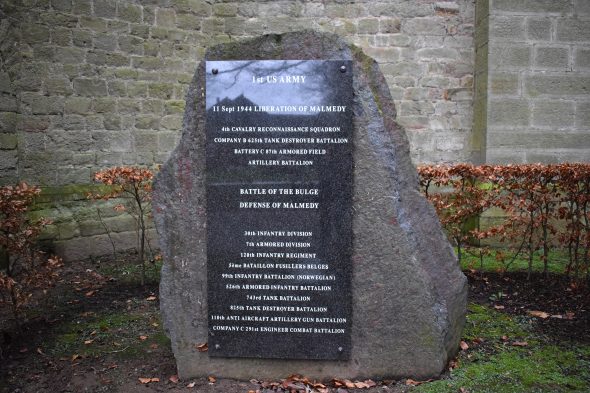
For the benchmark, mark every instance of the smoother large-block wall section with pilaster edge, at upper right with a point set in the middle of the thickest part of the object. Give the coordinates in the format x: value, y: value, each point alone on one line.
x: 536, y: 75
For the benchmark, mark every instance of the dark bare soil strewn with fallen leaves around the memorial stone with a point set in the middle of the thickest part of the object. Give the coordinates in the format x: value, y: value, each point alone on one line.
x: 29, y: 364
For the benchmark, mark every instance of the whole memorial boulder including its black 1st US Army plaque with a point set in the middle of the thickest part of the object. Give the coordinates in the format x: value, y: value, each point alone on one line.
x: 294, y: 235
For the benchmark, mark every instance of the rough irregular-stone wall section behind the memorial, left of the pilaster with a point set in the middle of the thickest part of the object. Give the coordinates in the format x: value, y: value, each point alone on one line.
x: 89, y: 84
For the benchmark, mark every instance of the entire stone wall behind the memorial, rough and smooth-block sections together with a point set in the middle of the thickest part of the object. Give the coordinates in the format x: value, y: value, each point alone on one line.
x: 89, y: 84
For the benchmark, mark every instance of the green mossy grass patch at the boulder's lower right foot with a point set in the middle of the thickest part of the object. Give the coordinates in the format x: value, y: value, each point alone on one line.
x: 495, y: 365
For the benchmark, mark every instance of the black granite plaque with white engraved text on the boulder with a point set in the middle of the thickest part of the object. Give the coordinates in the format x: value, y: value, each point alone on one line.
x: 279, y: 187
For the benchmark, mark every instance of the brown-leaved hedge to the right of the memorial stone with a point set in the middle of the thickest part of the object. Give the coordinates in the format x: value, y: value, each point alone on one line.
x: 533, y: 197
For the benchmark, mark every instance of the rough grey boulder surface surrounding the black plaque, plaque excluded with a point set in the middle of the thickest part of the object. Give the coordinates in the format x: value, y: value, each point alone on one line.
x: 409, y: 295
